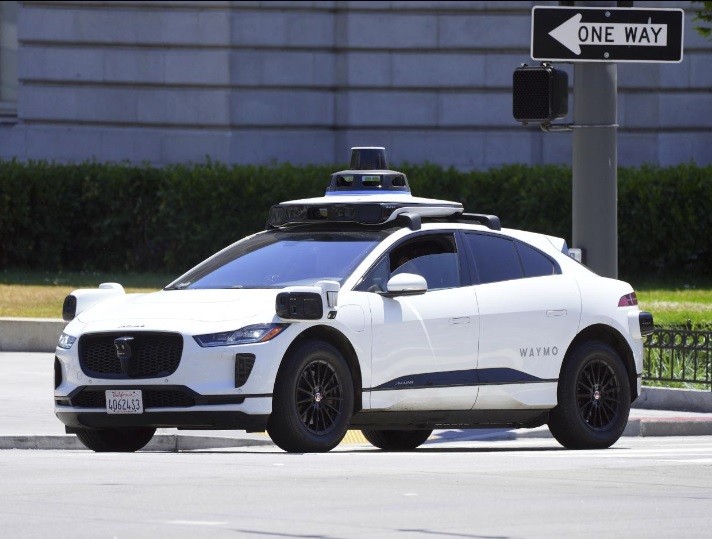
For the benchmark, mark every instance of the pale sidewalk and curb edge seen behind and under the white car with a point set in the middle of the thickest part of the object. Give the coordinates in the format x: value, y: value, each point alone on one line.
x: 27, y: 419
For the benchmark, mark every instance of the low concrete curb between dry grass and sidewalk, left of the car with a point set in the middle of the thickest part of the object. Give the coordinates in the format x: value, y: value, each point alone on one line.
x: 30, y: 334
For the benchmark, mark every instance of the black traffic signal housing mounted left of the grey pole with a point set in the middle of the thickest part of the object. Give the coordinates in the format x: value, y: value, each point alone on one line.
x: 539, y: 94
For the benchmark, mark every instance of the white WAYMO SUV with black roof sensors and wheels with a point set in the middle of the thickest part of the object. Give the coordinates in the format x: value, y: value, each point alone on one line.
x: 367, y: 308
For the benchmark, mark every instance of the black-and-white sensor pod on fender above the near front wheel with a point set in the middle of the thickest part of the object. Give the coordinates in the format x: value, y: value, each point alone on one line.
x: 308, y: 302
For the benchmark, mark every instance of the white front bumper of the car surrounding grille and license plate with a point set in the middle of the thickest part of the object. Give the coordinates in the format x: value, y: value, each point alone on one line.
x: 207, y: 390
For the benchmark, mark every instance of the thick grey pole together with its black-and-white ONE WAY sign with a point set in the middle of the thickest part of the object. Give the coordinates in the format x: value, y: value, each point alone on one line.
x: 595, y: 36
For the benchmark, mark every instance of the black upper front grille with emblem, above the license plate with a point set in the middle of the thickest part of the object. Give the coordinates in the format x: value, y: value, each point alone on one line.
x: 153, y: 355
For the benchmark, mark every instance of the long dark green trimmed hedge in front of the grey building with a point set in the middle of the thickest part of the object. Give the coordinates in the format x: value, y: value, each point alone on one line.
x: 108, y: 217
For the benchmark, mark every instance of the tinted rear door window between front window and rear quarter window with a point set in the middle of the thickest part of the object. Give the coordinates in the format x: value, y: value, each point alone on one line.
x: 496, y: 258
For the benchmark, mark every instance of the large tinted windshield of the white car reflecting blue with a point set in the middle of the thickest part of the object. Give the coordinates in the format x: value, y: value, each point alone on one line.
x: 279, y: 259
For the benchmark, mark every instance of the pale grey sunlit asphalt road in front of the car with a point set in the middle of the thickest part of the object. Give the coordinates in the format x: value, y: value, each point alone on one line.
x: 641, y: 487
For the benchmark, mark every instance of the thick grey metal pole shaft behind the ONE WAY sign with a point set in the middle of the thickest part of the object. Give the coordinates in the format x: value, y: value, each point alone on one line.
x: 595, y: 164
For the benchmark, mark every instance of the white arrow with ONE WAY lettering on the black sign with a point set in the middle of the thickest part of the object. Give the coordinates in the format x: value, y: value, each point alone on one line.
x: 574, y: 33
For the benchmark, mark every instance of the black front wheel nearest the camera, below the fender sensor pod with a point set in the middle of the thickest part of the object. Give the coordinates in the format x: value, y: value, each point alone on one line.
x: 313, y: 399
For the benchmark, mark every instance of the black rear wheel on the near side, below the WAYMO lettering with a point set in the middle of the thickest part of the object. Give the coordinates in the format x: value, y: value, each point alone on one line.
x: 593, y: 398
